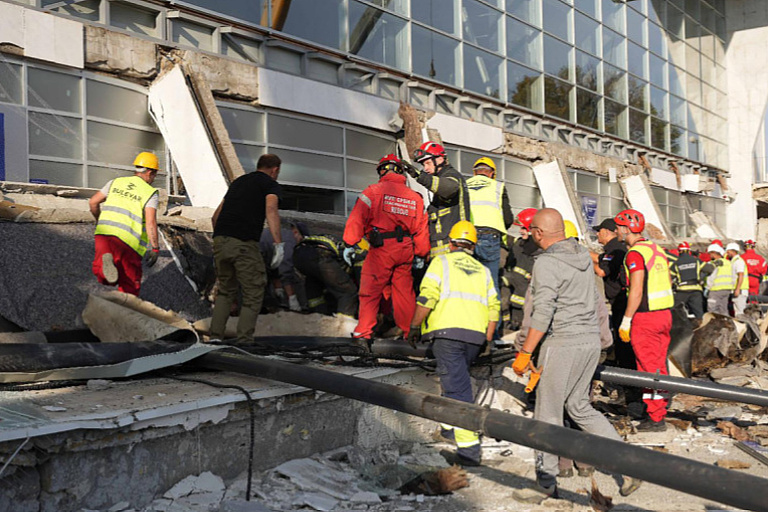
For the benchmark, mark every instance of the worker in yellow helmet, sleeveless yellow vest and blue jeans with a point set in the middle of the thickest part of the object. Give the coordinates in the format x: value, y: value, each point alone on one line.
x: 491, y: 216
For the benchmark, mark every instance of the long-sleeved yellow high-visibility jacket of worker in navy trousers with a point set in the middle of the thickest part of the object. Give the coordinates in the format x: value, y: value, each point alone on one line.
x: 460, y: 292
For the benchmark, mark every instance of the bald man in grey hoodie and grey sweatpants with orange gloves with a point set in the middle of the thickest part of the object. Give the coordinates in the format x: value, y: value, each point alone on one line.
x: 564, y: 311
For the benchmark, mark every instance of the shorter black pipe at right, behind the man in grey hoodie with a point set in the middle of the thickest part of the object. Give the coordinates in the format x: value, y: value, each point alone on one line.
x: 632, y: 378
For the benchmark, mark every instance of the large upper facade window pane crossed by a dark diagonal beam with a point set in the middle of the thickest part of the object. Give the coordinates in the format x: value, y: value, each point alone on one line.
x: 378, y: 36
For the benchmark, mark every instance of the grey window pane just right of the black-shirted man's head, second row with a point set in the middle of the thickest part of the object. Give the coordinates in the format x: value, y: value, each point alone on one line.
x: 312, y: 169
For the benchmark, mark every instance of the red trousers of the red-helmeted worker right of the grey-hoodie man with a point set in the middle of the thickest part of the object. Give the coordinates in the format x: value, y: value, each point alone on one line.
x: 650, y: 340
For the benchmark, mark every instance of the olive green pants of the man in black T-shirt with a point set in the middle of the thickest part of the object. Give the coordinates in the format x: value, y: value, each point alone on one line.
x: 238, y: 264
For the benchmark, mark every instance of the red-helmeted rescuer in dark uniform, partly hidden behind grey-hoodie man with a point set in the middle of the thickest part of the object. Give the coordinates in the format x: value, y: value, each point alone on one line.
x: 520, y: 264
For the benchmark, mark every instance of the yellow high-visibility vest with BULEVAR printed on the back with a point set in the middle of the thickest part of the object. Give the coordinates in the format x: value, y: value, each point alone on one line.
x: 122, y: 214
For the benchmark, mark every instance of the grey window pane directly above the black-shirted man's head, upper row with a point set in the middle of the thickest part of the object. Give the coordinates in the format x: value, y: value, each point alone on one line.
x: 304, y: 134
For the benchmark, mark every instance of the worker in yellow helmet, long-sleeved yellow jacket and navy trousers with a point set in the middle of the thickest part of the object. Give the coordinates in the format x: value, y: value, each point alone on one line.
x: 457, y: 309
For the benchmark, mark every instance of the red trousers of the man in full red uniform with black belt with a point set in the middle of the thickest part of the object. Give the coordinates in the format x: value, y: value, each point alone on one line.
x: 389, y: 264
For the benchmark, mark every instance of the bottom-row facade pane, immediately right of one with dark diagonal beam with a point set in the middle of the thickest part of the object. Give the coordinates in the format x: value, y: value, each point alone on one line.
x: 435, y: 55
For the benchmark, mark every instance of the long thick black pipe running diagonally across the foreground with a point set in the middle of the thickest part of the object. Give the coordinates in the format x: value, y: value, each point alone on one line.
x: 692, y: 477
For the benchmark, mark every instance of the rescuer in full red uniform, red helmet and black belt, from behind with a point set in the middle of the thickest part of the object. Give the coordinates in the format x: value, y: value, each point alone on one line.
x: 391, y: 217
